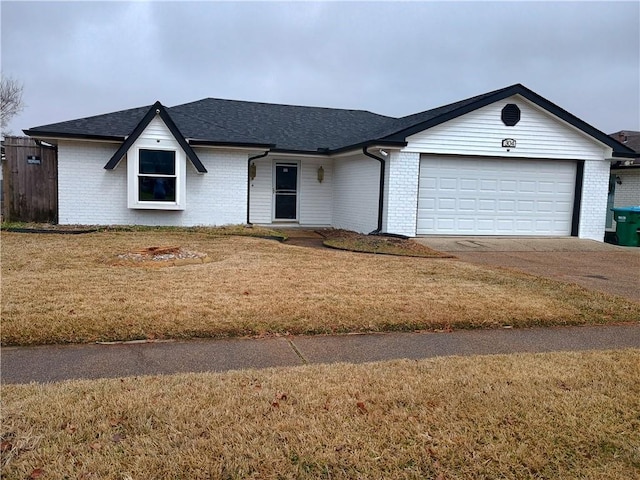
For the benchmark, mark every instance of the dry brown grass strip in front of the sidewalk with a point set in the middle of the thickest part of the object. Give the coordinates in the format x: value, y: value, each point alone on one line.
x: 554, y: 416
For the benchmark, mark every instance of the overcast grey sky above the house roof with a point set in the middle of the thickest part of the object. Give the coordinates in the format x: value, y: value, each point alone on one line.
x: 78, y: 59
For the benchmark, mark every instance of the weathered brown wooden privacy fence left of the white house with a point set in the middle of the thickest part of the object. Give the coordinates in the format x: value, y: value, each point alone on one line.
x: 30, y: 181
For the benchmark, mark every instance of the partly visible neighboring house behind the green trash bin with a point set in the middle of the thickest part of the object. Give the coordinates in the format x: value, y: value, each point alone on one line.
x: 624, y: 181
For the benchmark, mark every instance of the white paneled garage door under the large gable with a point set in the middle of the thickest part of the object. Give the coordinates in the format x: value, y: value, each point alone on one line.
x: 470, y: 196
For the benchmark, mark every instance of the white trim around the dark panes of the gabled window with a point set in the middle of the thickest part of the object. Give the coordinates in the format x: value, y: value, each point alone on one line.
x: 133, y: 176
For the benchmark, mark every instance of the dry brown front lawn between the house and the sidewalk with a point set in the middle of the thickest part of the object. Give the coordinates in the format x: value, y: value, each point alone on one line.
x: 69, y: 288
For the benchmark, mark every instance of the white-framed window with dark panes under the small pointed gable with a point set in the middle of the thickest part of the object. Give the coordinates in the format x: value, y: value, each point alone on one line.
x: 156, y: 178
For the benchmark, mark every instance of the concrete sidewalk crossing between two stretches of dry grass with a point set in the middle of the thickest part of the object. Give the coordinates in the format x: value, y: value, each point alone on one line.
x: 56, y: 363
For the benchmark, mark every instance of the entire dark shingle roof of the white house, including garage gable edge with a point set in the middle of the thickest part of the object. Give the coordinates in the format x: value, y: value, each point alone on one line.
x: 297, y: 128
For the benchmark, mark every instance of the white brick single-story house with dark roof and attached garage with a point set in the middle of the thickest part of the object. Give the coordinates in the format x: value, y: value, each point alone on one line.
x: 507, y: 162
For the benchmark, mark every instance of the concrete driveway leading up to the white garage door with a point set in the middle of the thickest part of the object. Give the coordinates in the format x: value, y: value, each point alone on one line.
x: 594, y: 265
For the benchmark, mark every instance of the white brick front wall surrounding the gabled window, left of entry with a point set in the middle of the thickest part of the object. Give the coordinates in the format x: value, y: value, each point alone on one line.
x: 90, y: 195
